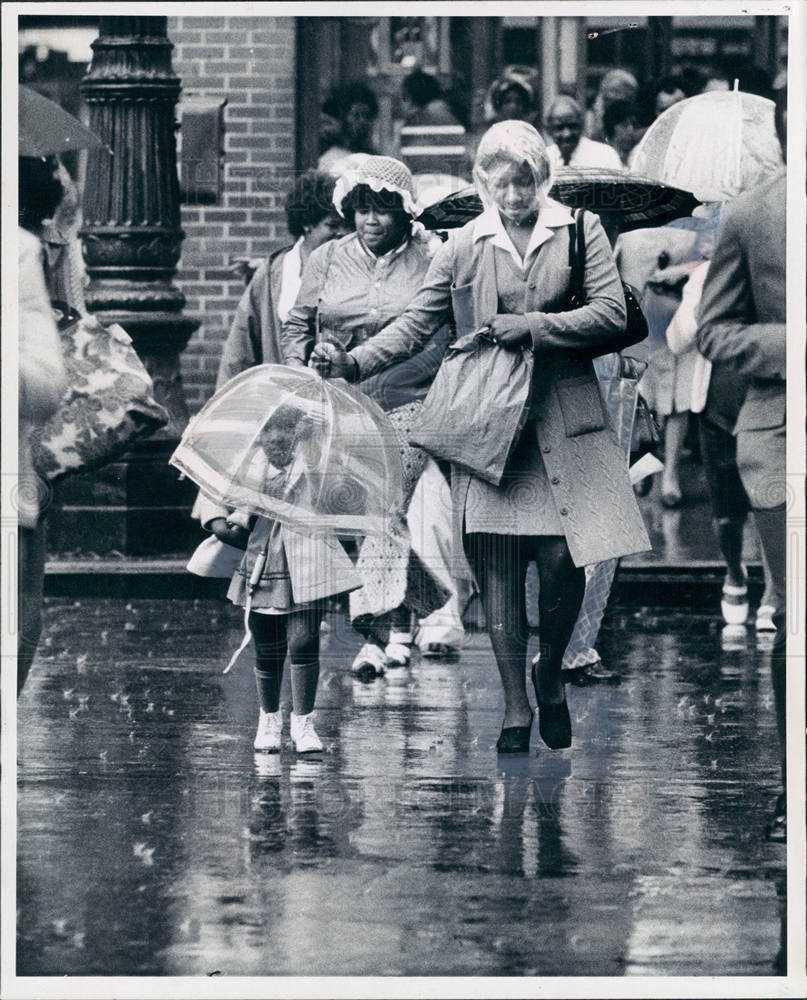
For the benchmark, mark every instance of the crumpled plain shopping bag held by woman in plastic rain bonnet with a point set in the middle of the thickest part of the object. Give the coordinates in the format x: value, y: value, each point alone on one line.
x: 477, y: 405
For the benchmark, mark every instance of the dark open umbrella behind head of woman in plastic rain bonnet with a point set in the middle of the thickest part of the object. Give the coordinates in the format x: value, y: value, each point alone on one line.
x: 631, y: 201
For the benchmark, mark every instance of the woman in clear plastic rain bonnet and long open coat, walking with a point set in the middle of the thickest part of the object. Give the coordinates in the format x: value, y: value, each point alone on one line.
x: 565, y: 499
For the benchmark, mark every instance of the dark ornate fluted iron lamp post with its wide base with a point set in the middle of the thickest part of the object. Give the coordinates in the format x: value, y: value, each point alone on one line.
x: 132, y: 240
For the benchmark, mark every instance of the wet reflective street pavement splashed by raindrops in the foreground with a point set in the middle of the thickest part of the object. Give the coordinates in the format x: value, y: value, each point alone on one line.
x: 153, y: 841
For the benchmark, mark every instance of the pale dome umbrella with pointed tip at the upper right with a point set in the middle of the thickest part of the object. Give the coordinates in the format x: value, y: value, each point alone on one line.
x: 715, y: 145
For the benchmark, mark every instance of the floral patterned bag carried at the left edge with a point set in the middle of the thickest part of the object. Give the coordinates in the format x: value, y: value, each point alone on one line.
x: 108, y: 405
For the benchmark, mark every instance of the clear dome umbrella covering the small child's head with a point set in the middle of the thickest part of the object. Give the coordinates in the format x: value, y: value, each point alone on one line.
x: 286, y: 444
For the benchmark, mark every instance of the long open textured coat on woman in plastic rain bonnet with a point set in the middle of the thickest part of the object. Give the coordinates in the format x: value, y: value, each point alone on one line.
x: 584, y: 463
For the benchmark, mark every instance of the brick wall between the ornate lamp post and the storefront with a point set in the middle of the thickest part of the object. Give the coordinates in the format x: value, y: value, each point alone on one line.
x: 250, y: 61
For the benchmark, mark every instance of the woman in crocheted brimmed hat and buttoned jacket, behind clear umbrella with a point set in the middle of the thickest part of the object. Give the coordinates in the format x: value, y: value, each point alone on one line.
x: 351, y: 289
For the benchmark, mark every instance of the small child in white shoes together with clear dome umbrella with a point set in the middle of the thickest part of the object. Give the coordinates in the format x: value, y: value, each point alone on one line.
x: 293, y: 561
